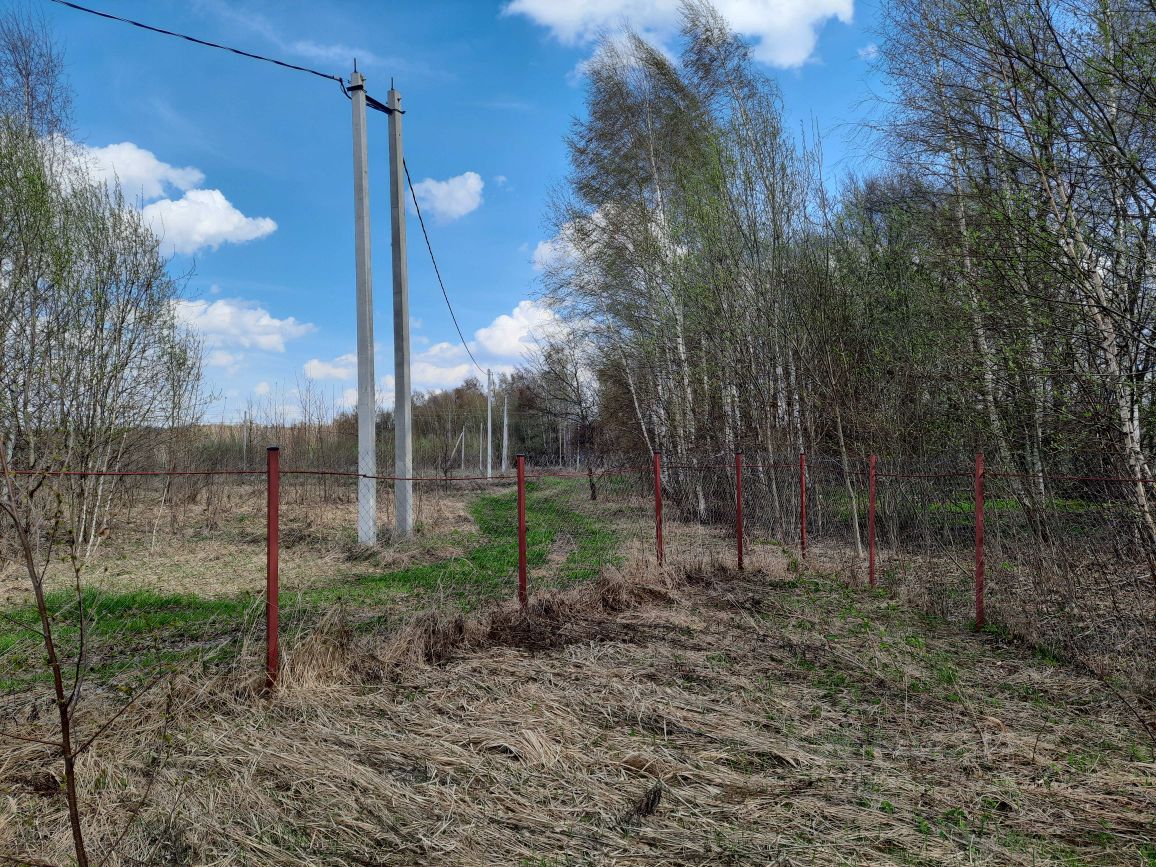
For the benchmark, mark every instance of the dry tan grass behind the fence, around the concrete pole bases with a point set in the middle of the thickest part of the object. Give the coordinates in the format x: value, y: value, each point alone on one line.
x: 214, y: 546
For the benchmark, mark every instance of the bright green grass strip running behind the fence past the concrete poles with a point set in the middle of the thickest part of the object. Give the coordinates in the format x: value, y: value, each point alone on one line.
x: 140, y: 631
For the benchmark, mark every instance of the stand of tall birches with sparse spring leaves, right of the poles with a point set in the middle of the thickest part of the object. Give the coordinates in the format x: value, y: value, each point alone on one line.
x: 987, y: 287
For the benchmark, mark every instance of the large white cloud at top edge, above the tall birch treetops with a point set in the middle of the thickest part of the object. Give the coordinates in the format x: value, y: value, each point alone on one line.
x: 783, y: 32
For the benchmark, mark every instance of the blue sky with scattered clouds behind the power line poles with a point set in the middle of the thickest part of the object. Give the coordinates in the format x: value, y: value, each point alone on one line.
x: 248, y: 168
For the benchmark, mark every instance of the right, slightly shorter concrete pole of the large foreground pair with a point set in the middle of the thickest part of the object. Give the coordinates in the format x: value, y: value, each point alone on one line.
x: 404, y: 434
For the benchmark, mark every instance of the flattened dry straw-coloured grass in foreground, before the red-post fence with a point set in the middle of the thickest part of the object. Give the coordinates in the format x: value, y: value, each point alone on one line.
x: 688, y: 717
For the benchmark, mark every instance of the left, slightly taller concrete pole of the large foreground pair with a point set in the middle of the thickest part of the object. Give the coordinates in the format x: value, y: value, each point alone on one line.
x: 367, y: 402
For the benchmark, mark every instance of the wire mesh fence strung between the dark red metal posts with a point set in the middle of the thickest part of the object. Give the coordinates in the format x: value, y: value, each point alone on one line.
x: 173, y: 566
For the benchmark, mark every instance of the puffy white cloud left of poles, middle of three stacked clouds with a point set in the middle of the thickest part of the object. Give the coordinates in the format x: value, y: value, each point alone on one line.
x: 203, y: 219
